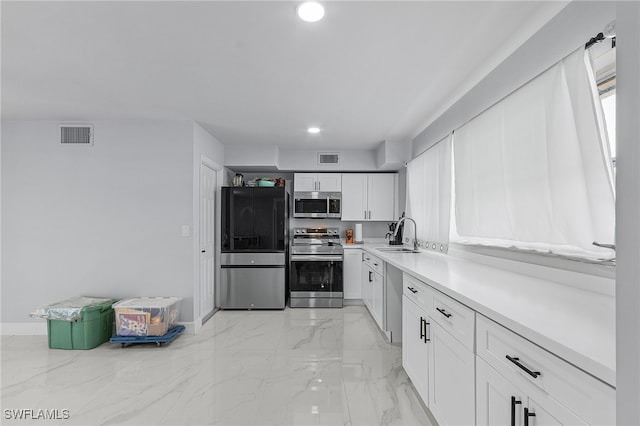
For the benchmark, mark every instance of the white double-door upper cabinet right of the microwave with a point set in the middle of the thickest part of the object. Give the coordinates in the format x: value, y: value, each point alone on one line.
x: 369, y: 196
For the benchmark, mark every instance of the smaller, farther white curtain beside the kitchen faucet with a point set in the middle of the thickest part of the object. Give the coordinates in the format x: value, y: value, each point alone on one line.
x: 428, y: 200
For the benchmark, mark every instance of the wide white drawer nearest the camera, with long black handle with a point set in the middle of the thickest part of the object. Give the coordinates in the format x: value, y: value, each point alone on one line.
x: 518, y: 358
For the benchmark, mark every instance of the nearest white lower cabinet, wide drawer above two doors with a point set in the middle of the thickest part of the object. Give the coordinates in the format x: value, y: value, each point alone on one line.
x: 519, y: 383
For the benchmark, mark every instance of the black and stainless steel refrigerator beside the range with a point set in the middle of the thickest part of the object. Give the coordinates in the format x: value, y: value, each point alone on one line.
x: 254, y: 248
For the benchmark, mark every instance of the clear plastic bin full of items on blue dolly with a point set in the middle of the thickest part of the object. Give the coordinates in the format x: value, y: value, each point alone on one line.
x: 146, y: 316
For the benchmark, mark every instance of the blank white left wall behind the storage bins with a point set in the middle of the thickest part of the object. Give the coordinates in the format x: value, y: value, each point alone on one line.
x: 102, y: 220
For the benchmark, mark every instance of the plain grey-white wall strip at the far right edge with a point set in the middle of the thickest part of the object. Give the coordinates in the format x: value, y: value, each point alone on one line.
x: 628, y: 213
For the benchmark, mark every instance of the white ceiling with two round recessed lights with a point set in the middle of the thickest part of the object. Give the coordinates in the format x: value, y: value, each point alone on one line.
x: 251, y: 72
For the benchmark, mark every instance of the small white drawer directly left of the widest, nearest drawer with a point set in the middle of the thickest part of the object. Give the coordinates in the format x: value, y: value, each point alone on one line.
x: 454, y: 317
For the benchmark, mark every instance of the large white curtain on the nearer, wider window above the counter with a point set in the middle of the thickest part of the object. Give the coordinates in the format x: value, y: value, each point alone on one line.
x: 533, y: 171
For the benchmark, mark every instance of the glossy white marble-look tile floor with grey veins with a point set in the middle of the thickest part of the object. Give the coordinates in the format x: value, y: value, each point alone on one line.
x: 290, y: 367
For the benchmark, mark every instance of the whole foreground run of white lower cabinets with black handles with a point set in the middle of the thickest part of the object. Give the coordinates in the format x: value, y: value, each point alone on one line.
x: 469, y: 369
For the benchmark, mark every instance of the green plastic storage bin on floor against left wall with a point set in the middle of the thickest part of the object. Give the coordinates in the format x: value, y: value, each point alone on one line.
x: 93, y: 329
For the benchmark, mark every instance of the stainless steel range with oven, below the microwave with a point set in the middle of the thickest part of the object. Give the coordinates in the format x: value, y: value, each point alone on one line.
x: 315, y: 272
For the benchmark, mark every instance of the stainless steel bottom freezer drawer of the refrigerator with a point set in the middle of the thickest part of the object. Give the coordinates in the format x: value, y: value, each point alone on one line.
x: 252, y: 288
